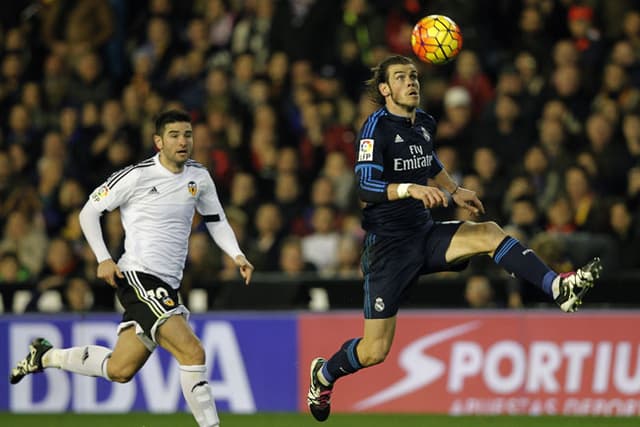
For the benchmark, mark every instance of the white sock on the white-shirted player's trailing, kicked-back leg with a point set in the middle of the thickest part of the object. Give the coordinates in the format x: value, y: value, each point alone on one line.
x: 88, y: 360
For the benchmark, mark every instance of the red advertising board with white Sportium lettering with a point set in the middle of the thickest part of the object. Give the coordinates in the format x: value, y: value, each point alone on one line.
x: 491, y: 363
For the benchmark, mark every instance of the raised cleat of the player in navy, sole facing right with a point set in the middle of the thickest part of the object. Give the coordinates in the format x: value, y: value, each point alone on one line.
x: 570, y: 288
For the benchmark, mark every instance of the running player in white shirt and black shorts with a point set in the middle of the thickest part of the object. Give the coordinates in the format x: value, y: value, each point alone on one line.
x: 157, y: 199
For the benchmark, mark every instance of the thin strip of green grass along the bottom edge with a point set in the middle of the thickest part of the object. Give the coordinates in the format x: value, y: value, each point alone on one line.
x: 303, y: 420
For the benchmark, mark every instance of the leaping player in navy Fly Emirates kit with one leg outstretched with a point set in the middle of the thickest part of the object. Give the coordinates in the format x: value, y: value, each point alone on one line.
x: 395, y: 159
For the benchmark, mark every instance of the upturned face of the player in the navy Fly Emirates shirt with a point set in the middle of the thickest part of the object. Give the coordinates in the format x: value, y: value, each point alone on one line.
x: 402, y: 90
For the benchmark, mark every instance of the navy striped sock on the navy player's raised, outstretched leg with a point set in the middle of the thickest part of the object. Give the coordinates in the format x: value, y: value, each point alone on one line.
x: 524, y: 264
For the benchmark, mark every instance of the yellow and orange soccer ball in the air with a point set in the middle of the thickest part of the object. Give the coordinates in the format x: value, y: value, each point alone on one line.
x: 436, y: 39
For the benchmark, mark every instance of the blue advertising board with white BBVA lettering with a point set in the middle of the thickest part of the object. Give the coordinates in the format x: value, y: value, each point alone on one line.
x: 252, y: 361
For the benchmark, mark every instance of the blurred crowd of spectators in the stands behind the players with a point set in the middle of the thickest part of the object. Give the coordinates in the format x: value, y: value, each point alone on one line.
x: 539, y: 114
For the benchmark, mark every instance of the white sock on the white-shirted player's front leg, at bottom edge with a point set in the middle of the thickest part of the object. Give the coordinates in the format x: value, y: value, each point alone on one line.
x: 197, y: 393
